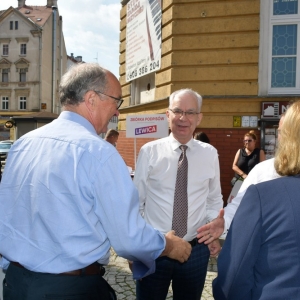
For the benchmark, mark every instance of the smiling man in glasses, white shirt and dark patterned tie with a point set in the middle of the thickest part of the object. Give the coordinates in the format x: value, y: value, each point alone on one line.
x: 155, y: 178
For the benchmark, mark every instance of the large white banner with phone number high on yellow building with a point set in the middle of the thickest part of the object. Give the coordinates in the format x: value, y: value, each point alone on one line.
x: 143, y: 38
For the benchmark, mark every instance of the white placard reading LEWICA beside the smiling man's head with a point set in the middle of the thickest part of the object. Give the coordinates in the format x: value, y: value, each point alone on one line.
x: 147, y: 126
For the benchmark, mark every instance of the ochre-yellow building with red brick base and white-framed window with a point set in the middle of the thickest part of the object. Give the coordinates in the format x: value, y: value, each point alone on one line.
x: 238, y: 54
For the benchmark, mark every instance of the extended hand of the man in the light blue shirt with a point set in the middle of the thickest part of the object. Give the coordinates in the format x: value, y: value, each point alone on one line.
x: 176, y: 248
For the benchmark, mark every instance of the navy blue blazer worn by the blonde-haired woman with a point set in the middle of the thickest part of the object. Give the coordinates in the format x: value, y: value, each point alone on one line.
x: 261, y: 255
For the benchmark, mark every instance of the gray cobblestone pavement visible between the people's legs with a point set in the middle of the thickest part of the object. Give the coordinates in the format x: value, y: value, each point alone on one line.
x: 119, y: 276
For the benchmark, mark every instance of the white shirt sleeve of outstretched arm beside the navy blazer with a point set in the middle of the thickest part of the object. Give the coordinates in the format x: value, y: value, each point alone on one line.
x: 263, y: 171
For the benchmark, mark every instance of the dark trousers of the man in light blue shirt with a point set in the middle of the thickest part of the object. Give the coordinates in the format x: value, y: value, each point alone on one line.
x: 22, y: 284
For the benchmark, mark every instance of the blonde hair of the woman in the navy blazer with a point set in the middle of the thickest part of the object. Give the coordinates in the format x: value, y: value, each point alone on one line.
x: 287, y: 158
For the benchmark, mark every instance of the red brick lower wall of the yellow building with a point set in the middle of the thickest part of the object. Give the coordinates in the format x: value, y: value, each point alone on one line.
x: 226, y: 141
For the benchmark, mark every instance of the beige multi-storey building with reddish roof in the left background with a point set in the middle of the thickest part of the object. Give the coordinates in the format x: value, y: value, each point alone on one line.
x: 32, y: 59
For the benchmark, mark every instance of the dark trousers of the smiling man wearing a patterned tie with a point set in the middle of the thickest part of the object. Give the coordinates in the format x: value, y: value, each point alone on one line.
x: 187, y: 278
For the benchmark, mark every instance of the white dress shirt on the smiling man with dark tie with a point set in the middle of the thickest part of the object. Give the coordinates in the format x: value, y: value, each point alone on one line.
x: 155, y: 178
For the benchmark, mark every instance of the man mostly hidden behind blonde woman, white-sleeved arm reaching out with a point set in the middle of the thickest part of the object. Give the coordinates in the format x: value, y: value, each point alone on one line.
x: 263, y: 171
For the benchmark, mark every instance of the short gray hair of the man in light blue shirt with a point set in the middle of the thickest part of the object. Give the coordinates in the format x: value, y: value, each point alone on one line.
x: 80, y: 79
